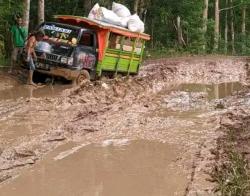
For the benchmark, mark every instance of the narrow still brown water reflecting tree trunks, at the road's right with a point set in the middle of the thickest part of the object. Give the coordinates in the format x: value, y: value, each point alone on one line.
x: 214, y: 91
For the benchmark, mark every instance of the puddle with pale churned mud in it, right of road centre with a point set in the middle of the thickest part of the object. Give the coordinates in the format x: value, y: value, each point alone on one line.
x: 189, y: 100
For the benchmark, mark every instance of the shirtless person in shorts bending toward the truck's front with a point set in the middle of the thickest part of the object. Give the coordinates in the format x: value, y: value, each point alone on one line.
x: 31, y: 54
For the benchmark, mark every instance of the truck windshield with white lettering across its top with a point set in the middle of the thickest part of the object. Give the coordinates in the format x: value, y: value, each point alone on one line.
x: 60, y: 33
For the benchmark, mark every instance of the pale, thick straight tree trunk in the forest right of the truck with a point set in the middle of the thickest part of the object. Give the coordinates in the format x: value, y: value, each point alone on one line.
x: 216, y: 26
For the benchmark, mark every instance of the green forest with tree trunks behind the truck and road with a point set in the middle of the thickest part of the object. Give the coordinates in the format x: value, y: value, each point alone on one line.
x: 176, y: 27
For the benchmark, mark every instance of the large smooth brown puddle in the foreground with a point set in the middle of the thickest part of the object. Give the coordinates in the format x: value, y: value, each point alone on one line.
x: 140, y: 168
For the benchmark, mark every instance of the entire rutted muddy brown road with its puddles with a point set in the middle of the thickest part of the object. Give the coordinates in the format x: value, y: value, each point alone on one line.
x: 153, y: 134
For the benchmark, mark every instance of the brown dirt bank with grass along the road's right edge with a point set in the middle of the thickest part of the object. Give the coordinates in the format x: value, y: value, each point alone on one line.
x: 232, y: 153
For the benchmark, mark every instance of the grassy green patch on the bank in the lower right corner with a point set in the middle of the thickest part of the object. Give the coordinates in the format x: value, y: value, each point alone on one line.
x: 232, y: 173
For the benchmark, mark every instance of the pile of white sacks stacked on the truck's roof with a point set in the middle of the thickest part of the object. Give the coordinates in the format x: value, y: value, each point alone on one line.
x: 119, y: 16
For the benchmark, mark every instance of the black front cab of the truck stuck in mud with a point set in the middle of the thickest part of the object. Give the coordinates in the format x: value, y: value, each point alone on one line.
x: 66, y: 50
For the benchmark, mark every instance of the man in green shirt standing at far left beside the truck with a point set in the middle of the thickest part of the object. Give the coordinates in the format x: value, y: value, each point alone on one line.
x: 19, y: 35
